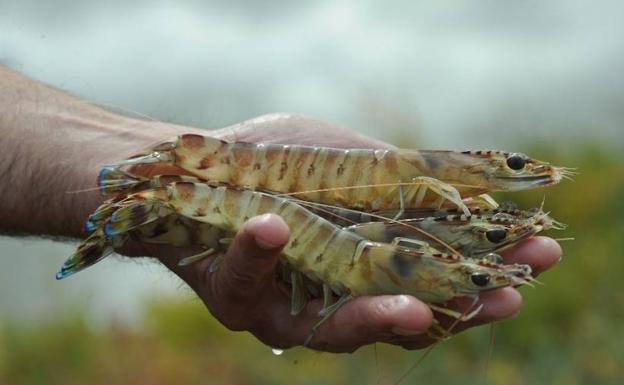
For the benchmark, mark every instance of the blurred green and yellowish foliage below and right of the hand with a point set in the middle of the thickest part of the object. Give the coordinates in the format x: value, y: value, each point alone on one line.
x: 568, y: 332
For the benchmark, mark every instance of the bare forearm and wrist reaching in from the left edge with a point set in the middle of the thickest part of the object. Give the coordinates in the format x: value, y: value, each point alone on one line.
x: 52, y: 145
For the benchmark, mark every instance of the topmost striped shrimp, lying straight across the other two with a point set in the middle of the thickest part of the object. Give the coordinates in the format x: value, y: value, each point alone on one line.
x: 363, y: 179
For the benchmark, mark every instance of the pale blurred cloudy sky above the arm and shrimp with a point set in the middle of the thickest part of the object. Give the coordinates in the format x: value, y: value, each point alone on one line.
x: 466, y: 73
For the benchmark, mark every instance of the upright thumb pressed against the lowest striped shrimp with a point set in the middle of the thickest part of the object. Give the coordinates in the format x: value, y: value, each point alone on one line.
x: 250, y: 261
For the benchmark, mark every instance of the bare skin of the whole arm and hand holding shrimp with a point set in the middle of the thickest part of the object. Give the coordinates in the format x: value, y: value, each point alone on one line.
x: 53, y: 143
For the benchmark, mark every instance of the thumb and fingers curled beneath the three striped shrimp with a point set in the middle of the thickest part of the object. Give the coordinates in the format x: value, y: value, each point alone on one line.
x: 243, y: 295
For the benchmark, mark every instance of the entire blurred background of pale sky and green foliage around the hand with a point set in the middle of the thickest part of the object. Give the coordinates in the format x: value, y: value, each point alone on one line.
x: 543, y: 78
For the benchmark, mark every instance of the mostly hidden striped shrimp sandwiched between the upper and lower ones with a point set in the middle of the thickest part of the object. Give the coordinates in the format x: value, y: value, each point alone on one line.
x: 483, y: 231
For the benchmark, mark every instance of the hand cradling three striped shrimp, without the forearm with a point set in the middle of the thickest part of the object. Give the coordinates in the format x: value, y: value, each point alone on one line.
x: 244, y: 294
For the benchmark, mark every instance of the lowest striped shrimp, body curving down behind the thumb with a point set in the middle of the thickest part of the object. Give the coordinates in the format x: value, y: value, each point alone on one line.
x: 342, y: 261
